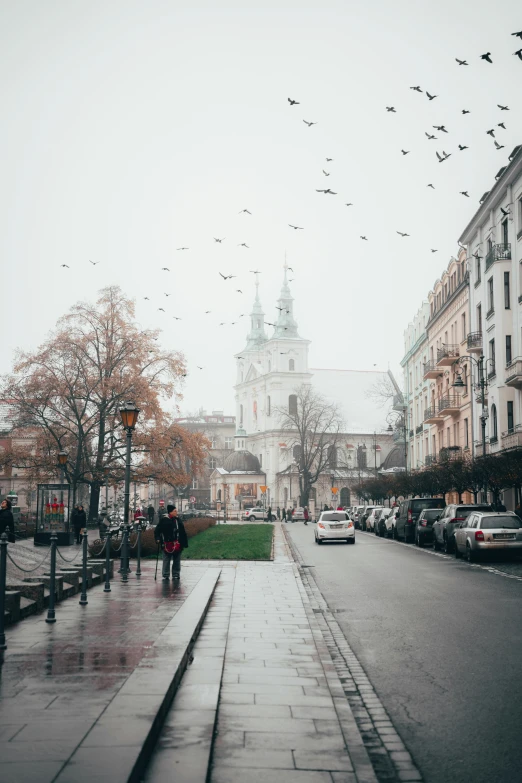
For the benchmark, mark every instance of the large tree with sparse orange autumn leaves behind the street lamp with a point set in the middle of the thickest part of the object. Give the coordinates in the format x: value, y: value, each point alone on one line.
x: 69, y: 391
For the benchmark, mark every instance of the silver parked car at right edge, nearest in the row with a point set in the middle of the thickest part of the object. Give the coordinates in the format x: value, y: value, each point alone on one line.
x: 484, y: 532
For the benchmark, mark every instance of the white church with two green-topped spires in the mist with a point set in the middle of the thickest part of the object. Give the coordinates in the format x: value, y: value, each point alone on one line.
x: 270, y: 368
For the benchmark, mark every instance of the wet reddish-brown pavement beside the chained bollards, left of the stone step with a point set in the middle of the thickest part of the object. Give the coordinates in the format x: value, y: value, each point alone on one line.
x: 57, y: 680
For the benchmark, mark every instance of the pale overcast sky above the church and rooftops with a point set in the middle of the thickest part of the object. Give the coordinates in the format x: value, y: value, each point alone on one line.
x: 133, y: 128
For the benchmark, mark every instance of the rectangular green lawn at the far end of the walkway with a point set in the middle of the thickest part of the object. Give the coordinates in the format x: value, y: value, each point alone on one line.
x: 231, y: 542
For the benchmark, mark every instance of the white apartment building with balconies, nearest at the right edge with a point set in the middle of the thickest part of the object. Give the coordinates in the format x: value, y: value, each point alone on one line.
x: 494, y: 241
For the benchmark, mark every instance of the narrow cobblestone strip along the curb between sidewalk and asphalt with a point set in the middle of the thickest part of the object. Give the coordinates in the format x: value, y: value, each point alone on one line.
x: 390, y: 759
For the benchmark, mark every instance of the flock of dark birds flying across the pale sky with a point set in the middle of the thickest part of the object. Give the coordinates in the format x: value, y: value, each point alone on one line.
x: 440, y: 132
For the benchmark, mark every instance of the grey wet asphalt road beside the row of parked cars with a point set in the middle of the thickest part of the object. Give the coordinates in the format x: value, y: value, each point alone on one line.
x: 441, y: 642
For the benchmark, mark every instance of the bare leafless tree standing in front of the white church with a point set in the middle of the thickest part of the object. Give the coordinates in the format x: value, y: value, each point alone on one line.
x: 312, y: 427
